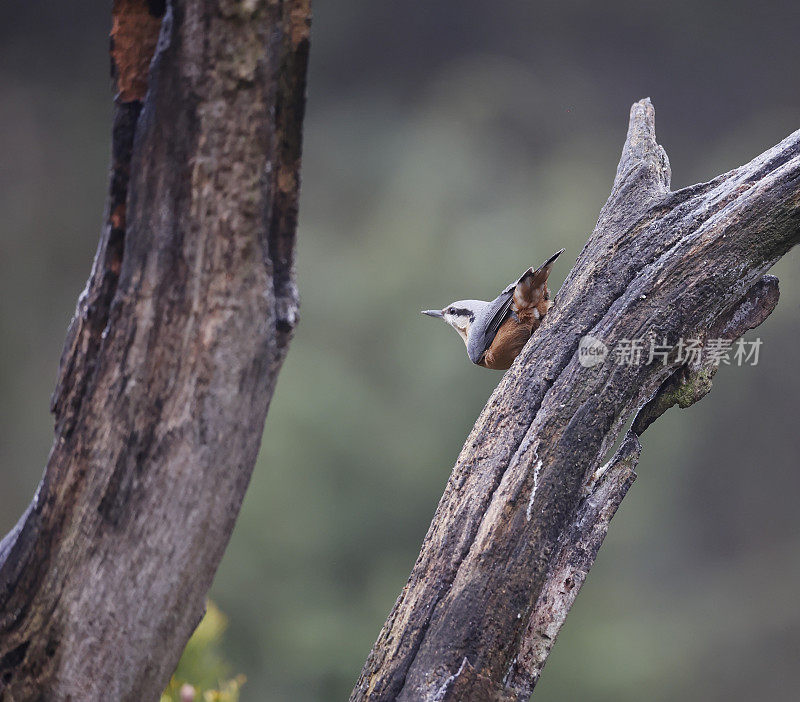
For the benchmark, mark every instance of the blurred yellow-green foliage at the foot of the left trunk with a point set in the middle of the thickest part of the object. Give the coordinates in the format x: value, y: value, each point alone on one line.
x: 203, y: 673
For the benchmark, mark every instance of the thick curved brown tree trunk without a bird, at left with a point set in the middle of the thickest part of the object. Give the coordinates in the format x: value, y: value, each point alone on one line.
x: 172, y: 356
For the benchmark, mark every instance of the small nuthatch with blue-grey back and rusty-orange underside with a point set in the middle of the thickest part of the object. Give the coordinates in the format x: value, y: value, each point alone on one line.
x: 495, y: 332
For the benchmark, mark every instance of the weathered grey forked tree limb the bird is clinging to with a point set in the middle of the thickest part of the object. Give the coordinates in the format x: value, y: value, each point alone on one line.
x: 529, y: 500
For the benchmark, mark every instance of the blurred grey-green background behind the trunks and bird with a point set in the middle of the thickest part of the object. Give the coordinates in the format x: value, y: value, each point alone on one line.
x: 448, y: 146
